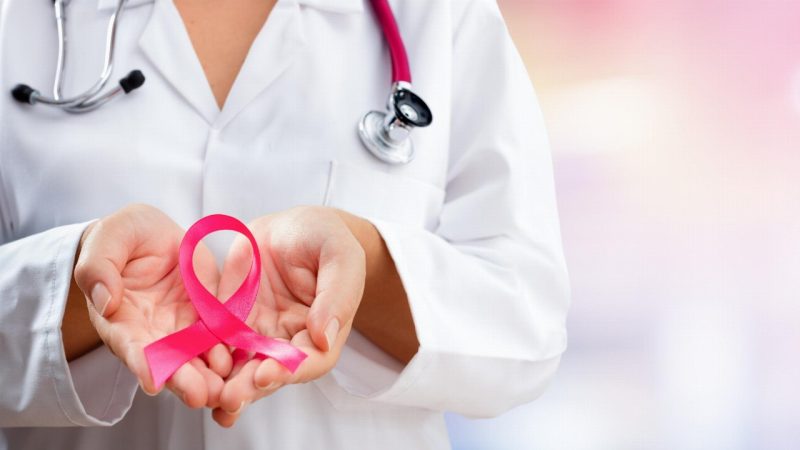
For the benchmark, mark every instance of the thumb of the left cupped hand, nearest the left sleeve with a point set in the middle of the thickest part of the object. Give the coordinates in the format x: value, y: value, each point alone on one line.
x: 103, y: 254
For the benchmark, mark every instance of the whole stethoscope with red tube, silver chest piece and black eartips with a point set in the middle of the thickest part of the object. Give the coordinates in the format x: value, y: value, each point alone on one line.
x: 386, y: 134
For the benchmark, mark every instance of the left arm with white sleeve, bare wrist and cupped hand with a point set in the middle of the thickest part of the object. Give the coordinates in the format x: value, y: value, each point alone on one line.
x: 132, y: 254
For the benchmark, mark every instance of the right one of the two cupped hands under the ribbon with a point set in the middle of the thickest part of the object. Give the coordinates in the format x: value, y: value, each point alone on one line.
x: 315, y: 268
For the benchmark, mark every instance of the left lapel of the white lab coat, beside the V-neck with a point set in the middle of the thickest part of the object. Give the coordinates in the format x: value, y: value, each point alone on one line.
x: 166, y: 43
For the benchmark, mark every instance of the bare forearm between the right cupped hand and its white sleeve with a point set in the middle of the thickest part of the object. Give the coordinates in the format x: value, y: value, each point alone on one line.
x: 384, y: 316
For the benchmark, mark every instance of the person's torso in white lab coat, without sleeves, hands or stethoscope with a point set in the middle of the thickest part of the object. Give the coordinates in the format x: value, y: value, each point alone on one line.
x: 286, y: 136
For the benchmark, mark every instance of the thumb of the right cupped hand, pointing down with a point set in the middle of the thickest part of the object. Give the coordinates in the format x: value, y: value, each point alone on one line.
x: 340, y: 285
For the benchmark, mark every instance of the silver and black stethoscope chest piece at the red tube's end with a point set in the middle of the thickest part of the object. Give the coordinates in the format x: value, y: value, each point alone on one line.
x: 387, y: 134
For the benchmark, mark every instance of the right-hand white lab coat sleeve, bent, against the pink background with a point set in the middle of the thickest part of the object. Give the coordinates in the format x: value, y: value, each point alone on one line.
x: 488, y: 287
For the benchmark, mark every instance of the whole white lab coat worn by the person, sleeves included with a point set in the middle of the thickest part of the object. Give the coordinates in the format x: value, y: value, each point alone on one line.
x: 471, y: 223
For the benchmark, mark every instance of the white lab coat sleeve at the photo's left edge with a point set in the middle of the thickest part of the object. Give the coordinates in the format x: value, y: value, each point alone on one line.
x: 39, y: 387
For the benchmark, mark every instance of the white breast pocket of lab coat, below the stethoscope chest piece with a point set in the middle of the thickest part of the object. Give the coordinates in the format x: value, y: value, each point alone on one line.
x: 376, y: 194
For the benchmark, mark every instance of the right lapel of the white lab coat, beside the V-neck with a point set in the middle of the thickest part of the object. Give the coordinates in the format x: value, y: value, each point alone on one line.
x: 272, y: 52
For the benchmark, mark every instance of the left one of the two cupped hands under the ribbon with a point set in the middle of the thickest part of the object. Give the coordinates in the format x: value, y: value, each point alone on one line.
x: 128, y: 269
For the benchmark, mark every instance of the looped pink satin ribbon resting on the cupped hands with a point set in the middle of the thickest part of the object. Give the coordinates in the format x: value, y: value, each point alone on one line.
x: 219, y: 322
